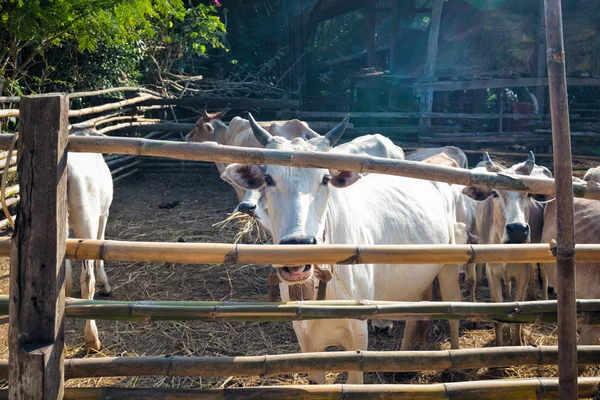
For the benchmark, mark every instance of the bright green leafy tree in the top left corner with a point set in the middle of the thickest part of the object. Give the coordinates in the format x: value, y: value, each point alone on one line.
x: 95, y: 42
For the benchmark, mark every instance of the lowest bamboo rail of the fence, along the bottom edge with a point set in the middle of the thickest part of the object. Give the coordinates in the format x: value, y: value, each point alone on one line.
x: 501, y: 389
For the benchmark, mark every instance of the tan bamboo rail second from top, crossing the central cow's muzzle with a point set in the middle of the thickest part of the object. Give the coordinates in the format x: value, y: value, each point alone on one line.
x: 221, y: 253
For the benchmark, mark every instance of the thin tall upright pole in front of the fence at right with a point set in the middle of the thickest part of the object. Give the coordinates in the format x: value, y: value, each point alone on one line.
x: 565, y: 256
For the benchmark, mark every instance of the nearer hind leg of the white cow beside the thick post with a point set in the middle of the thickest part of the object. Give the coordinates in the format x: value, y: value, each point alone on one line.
x: 88, y: 230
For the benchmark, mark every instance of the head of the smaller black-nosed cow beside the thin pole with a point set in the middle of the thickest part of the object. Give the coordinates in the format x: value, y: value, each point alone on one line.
x: 510, y: 208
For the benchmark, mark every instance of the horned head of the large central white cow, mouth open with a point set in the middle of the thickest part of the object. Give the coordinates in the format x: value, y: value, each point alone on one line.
x: 296, y: 198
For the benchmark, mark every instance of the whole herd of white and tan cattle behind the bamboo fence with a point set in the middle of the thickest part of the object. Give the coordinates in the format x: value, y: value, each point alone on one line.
x: 319, y: 206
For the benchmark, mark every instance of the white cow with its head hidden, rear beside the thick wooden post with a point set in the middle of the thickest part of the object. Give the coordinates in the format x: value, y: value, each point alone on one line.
x: 89, y: 195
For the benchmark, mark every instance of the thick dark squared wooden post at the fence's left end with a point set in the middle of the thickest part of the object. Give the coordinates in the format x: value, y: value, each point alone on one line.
x: 37, y: 273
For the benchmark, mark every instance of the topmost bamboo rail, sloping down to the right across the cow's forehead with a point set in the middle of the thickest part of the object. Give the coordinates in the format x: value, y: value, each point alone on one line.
x: 229, y: 154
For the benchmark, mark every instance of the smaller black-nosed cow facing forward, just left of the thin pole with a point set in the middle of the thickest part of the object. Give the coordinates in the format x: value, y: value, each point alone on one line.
x: 503, y: 217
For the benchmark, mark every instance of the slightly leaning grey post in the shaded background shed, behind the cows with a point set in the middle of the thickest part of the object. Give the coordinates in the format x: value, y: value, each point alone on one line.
x: 429, y: 72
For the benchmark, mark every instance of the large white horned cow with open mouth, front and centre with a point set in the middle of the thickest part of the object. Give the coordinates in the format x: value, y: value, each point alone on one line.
x: 314, y: 205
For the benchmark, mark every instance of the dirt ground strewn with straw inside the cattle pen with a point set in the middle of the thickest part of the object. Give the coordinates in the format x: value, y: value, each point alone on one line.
x: 184, y: 207
